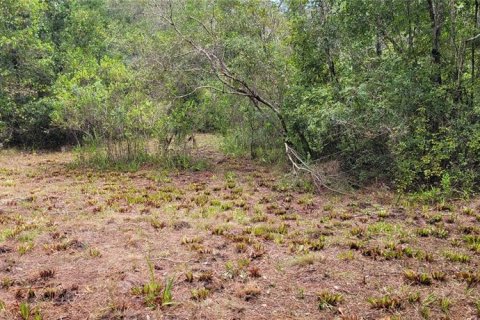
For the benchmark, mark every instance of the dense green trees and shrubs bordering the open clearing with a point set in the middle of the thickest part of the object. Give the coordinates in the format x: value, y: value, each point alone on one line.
x: 387, y: 89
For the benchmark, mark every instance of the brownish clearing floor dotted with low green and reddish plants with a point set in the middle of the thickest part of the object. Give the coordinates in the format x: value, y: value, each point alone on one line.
x: 237, y: 240
